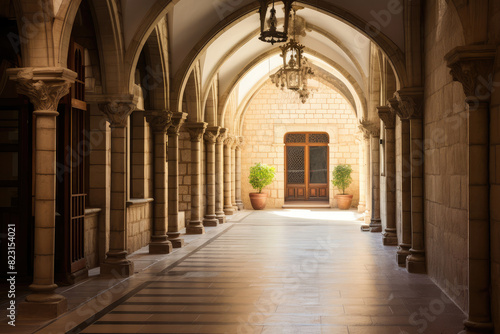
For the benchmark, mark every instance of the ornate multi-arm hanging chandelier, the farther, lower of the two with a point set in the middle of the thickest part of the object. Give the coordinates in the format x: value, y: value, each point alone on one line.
x: 296, y: 69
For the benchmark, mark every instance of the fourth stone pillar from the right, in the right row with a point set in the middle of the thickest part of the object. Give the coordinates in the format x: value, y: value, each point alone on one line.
x: 388, y: 116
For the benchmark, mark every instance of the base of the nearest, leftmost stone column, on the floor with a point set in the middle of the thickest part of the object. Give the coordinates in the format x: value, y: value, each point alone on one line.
x: 42, y: 306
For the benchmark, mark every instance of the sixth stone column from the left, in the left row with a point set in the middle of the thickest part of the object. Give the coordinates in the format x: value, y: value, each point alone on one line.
x: 211, y: 138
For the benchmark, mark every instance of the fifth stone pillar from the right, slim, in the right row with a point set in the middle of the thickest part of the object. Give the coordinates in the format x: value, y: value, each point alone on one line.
x: 375, y: 222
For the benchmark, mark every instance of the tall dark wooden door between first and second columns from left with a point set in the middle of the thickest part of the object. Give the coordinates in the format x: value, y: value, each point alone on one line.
x: 72, y: 172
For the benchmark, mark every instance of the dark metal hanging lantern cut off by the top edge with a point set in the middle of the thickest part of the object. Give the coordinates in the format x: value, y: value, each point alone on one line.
x: 273, y: 35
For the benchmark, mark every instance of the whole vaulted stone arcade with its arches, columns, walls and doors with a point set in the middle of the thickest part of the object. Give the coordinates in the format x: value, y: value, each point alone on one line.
x: 129, y: 125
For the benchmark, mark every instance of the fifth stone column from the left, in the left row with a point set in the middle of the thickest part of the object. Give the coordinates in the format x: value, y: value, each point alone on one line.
x: 196, y: 131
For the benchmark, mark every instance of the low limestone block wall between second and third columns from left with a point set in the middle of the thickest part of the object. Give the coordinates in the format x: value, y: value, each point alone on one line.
x: 139, y: 216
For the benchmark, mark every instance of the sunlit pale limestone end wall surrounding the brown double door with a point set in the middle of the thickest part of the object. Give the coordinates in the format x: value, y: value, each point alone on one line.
x: 267, y: 121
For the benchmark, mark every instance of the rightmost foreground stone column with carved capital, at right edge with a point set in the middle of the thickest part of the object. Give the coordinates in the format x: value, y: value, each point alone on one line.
x: 472, y: 66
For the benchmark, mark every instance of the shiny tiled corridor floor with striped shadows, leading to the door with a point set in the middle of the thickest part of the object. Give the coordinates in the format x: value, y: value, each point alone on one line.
x: 289, y: 271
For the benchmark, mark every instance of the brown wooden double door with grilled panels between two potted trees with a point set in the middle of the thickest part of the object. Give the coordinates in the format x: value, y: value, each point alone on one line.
x: 306, y: 166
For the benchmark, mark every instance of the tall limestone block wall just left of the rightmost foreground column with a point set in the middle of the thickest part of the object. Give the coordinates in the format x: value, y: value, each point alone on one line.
x: 445, y: 156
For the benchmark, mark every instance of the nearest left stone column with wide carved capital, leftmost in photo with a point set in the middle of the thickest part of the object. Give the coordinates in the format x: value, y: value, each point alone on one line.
x: 44, y: 87
